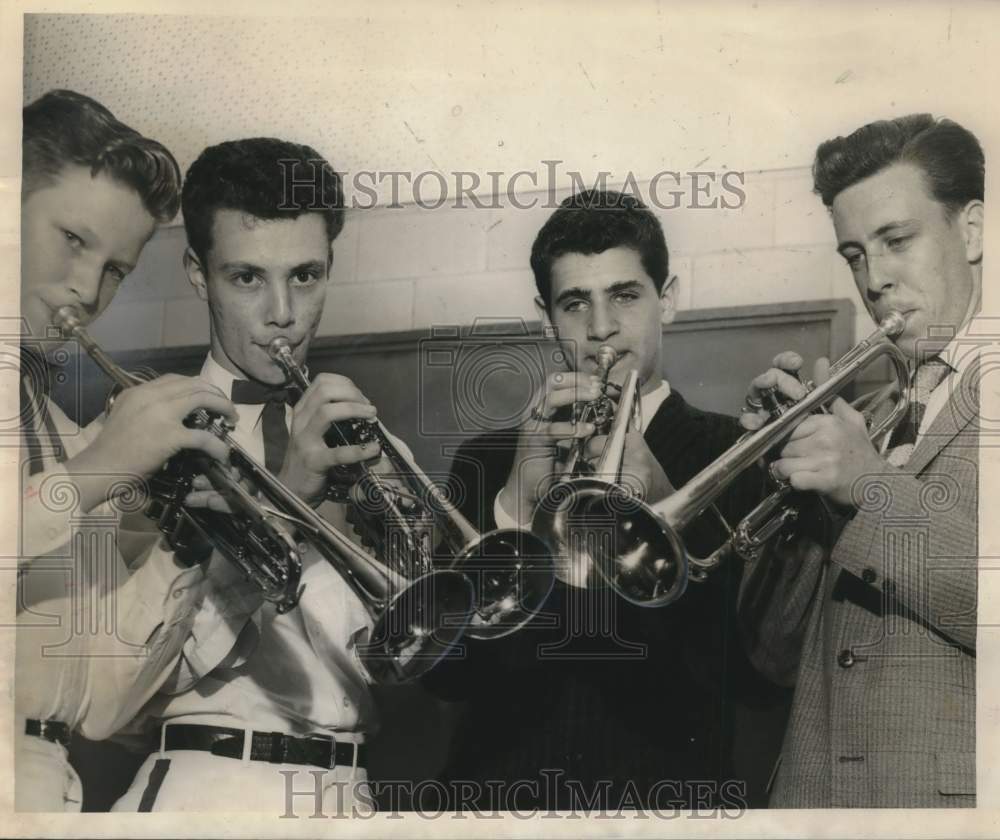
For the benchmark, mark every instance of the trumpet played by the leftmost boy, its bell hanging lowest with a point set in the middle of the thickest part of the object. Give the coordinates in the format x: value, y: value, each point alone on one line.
x: 415, y: 621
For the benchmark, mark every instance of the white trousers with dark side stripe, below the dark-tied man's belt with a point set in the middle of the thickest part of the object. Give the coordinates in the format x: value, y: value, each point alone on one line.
x: 195, y: 780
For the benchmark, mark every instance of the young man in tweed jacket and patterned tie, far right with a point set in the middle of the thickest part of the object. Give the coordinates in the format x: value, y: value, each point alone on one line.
x: 877, y: 629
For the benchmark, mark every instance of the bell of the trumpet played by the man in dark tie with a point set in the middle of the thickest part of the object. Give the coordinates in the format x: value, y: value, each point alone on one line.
x: 512, y: 575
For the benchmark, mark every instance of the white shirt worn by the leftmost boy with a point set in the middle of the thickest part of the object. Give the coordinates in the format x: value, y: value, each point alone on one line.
x: 99, y: 627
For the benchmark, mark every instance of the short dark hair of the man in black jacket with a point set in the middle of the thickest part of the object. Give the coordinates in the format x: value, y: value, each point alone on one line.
x: 591, y: 222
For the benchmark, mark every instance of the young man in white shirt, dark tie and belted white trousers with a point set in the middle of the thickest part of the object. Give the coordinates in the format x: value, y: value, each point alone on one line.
x: 264, y: 703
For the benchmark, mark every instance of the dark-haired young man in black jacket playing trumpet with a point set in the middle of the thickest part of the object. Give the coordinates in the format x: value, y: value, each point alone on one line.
x: 612, y: 701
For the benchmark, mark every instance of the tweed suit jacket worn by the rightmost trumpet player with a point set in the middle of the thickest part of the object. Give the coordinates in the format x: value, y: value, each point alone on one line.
x: 879, y: 634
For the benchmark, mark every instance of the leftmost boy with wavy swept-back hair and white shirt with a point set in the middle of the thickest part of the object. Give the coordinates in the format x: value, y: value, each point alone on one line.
x: 93, y: 191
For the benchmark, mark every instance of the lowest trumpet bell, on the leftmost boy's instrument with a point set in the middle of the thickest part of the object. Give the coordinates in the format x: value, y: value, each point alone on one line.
x: 418, y: 627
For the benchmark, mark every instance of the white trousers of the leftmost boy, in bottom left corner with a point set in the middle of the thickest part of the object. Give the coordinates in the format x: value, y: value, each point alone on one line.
x: 44, y: 780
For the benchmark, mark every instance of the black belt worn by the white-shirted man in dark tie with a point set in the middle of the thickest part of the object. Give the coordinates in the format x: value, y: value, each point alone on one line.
x: 275, y: 747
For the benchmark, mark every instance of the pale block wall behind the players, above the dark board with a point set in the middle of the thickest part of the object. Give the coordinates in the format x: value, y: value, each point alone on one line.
x: 399, y: 269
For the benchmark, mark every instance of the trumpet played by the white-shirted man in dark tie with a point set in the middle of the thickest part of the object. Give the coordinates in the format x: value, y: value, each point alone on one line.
x: 511, y: 569
